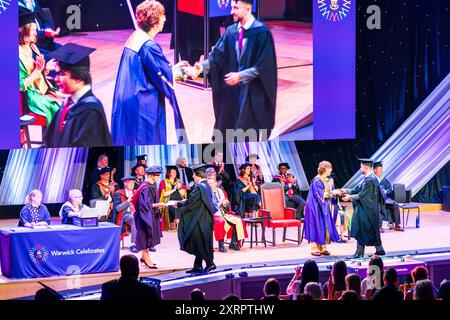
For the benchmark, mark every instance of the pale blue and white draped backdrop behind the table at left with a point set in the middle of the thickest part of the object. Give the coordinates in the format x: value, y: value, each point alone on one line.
x: 53, y: 171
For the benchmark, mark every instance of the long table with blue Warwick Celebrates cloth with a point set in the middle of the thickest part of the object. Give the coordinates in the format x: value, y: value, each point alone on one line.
x: 59, y: 250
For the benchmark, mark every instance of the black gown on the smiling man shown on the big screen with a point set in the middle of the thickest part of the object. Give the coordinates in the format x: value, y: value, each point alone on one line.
x: 247, y: 105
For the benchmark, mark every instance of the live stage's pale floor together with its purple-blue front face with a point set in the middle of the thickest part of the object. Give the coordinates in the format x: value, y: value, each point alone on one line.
x: 428, y: 245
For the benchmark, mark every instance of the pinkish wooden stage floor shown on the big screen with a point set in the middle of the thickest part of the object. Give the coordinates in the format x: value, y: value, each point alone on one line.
x: 293, y: 41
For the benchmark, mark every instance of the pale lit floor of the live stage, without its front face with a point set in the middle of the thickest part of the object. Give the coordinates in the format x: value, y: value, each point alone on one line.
x: 432, y: 236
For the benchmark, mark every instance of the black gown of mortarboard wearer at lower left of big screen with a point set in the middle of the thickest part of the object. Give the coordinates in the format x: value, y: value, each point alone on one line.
x: 84, y: 126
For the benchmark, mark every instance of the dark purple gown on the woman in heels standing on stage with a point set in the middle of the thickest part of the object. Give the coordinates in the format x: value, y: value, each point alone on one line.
x: 146, y: 217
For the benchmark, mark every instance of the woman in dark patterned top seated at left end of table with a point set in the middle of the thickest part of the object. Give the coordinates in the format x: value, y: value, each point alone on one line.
x: 34, y: 213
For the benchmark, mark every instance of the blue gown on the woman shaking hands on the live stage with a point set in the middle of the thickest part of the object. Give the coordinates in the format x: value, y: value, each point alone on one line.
x: 318, y: 216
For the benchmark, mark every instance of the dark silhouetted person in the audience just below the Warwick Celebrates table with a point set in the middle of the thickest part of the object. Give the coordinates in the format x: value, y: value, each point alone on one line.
x: 127, y: 287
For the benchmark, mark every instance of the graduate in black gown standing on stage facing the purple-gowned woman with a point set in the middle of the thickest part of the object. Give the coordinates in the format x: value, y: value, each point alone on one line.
x: 196, y: 223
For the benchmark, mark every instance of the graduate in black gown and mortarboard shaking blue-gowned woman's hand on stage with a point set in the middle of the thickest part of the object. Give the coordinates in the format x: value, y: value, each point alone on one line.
x: 367, y: 204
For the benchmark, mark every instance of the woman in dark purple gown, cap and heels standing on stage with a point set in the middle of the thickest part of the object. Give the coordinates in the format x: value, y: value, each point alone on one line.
x: 147, y: 216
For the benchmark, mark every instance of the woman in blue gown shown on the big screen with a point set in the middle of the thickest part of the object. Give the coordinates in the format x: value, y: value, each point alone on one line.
x: 143, y: 83
